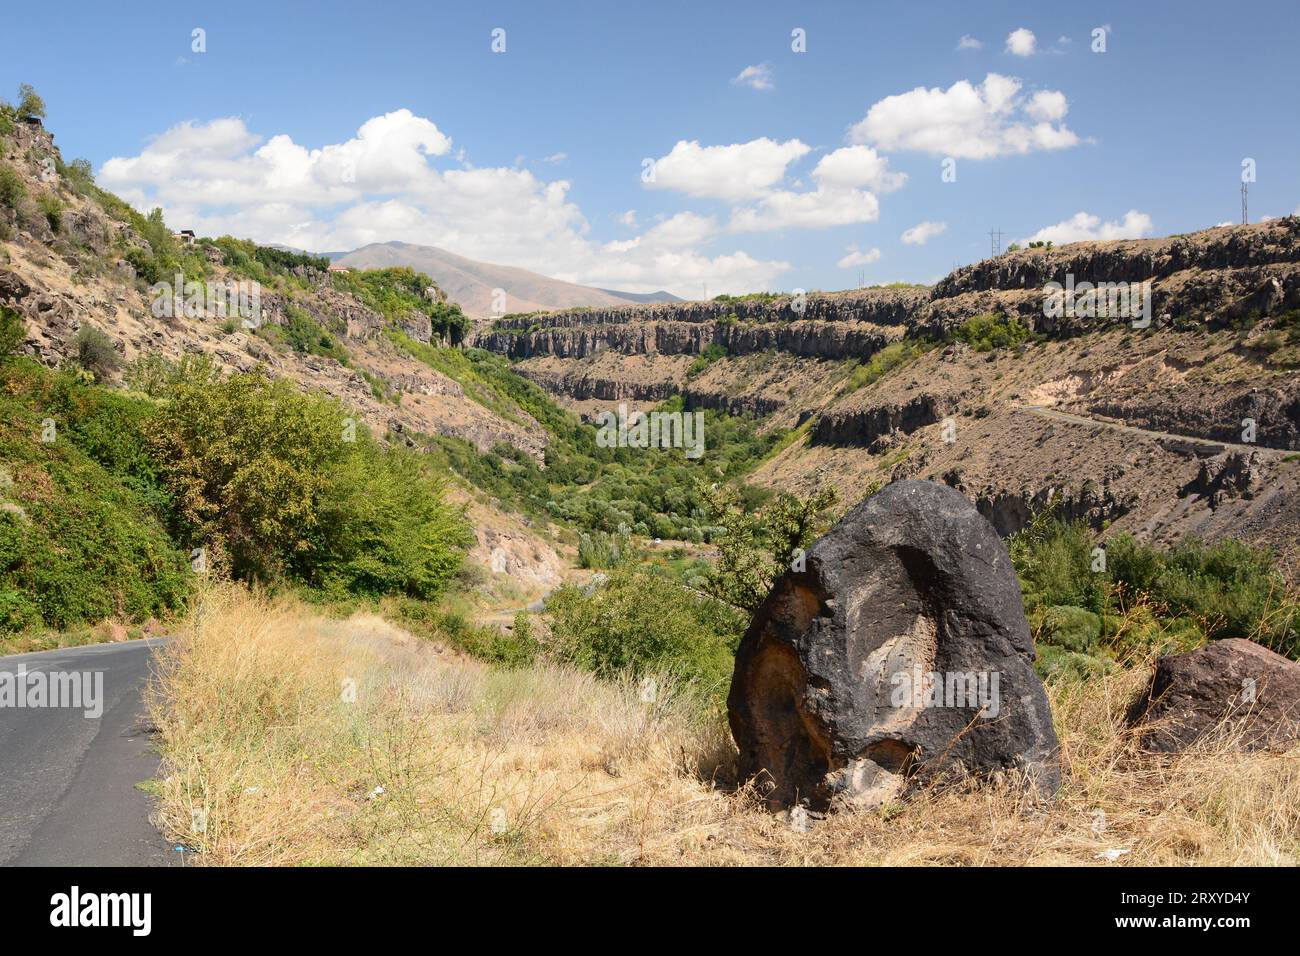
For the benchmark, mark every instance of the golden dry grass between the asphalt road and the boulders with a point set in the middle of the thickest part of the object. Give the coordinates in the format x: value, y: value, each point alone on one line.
x: 552, y: 767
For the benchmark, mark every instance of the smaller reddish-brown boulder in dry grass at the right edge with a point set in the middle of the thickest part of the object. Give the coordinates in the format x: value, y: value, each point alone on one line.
x: 1232, y: 693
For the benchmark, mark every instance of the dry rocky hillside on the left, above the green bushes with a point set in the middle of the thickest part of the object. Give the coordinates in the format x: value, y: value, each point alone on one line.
x: 73, y: 257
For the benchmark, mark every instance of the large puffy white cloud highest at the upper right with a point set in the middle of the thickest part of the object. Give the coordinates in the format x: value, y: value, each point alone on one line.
x: 969, y: 122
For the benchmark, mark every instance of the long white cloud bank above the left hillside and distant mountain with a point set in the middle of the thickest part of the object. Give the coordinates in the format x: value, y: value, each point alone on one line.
x: 387, y: 184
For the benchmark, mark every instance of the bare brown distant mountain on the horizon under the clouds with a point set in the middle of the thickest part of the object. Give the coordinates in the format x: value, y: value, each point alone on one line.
x: 474, y: 284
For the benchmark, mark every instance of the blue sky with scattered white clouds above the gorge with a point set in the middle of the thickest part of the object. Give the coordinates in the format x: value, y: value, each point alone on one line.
x: 535, y: 157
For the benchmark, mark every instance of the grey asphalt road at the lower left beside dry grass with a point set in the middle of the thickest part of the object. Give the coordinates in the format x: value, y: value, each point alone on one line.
x: 68, y: 782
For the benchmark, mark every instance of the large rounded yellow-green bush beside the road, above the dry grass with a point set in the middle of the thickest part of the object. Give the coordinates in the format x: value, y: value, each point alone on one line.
x: 276, y: 483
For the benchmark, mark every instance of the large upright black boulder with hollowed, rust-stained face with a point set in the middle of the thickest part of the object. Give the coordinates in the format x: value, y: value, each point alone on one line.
x: 834, y: 702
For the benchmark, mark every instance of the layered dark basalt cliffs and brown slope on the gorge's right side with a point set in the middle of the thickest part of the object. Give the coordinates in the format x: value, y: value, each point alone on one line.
x: 1165, y: 408
